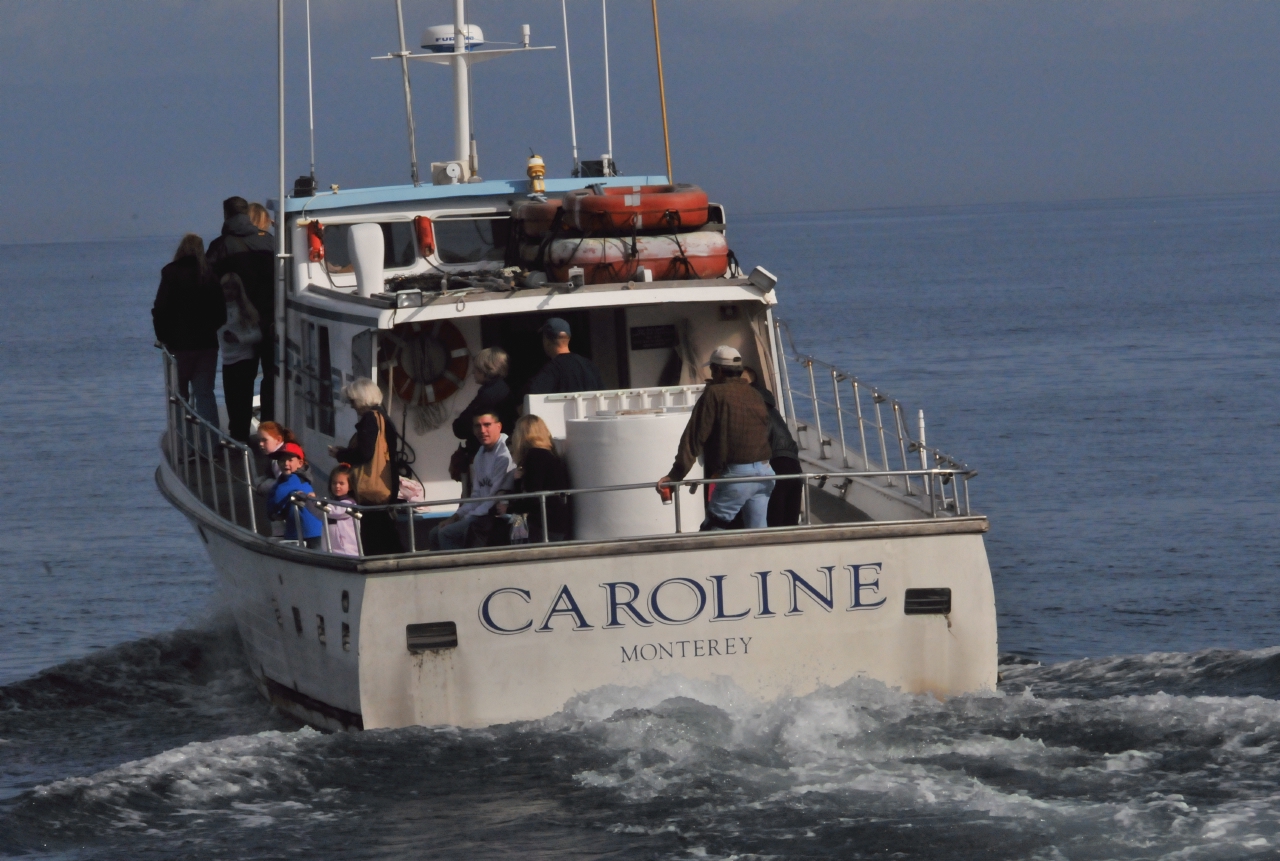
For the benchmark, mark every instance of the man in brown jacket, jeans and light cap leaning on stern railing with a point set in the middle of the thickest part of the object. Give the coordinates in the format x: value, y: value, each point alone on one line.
x: 730, y: 429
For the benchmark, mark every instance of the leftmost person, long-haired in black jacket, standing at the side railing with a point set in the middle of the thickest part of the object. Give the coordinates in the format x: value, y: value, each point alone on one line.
x: 188, y: 314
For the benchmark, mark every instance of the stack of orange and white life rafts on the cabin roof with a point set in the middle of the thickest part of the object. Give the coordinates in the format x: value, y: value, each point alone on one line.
x: 614, y: 233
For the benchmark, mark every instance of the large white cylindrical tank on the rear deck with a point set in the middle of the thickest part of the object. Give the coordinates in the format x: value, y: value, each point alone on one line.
x: 623, y: 448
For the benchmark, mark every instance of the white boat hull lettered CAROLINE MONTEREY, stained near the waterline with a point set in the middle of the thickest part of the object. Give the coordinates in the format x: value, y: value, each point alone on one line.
x: 778, y: 612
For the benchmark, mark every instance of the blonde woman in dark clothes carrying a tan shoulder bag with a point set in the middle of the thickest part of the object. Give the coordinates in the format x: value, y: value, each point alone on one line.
x: 372, y: 455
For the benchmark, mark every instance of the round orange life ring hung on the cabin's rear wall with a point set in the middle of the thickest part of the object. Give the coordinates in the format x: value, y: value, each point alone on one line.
x: 429, y: 361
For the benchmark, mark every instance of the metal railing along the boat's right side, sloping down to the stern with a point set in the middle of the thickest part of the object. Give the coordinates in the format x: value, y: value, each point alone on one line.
x: 866, y: 438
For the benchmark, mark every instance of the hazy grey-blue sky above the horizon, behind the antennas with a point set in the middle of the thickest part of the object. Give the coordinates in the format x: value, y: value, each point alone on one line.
x: 130, y: 118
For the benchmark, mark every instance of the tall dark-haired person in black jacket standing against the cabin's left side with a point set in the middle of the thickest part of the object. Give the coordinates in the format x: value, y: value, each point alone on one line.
x: 249, y: 251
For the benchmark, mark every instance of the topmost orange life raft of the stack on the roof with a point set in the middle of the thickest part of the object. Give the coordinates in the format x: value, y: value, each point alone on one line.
x: 637, y: 208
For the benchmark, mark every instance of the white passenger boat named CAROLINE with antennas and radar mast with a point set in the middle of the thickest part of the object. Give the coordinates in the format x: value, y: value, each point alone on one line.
x: 885, y: 576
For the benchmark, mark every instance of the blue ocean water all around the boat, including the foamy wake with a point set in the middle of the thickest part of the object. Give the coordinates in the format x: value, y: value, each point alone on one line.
x: 1109, y: 368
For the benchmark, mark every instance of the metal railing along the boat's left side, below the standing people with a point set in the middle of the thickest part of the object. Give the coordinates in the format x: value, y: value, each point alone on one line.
x: 218, y: 469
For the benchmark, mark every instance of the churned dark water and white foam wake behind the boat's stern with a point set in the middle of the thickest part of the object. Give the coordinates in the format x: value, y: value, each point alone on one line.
x: 1159, y: 755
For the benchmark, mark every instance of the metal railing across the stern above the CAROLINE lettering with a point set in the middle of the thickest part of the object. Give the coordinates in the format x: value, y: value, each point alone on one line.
x: 812, y: 482
